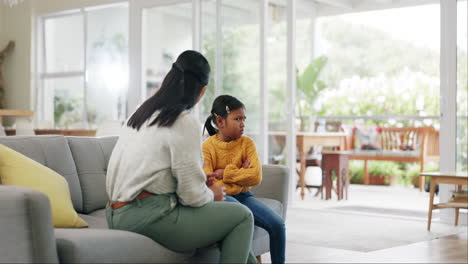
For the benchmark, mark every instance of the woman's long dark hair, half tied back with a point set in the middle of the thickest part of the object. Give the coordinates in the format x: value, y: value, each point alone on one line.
x: 178, y: 92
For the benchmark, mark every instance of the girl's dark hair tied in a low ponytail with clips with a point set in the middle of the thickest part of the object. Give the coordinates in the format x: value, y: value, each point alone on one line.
x: 222, y: 105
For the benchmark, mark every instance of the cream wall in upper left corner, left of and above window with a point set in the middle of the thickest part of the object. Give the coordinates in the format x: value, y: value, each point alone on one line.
x: 18, y: 23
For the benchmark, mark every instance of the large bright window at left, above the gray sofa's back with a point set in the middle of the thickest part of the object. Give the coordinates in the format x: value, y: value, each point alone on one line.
x: 85, y: 59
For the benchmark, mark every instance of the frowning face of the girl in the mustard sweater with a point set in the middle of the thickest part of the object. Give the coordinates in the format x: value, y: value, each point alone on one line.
x: 233, y: 126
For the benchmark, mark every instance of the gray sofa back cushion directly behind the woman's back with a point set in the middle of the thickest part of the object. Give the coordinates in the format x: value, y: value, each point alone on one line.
x: 91, y: 157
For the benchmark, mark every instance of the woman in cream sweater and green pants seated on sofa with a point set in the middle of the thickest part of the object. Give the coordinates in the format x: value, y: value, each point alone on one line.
x: 155, y: 179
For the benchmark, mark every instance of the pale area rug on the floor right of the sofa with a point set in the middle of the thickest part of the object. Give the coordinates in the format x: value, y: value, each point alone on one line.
x: 364, y: 233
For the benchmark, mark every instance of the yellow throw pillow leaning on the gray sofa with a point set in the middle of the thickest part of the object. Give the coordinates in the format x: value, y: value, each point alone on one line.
x: 19, y: 170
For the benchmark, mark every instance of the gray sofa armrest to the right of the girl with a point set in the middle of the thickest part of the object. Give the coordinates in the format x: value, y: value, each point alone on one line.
x: 275, y: 184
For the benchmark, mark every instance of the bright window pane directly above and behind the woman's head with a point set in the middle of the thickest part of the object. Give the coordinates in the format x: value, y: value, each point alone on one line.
x: 167, y: 32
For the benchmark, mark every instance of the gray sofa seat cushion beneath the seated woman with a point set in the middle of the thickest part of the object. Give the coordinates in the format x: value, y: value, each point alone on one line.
x: 111, y: 246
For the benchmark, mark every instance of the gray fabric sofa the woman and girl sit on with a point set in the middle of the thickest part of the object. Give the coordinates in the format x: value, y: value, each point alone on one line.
x: 26, y: 230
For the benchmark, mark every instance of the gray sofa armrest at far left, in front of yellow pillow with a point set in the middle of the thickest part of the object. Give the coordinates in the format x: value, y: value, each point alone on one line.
x: 26, y: 230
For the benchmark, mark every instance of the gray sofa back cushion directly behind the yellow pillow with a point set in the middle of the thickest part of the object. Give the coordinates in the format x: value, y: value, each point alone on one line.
x: 53, y: 152
